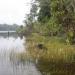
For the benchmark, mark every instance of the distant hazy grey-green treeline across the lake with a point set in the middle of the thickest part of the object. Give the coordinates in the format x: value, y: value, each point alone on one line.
x: 6, y: 27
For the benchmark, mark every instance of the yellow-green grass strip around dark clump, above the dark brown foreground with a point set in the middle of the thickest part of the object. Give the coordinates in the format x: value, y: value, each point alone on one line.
x: 56, y: 49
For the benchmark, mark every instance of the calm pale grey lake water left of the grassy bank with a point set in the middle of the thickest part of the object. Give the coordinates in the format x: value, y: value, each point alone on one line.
x: 8, y: 46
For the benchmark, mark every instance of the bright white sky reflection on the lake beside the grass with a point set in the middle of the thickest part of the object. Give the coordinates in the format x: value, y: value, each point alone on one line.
x: 11, y: 44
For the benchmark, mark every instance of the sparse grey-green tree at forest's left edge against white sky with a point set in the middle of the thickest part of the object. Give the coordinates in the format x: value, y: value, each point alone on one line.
x: 31, y: 18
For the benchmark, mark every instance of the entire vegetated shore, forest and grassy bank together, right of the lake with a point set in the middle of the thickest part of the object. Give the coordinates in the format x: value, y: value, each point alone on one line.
x: 51, y: 40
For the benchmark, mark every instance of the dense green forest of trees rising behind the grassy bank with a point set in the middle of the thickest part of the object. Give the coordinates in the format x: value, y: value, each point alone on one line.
x: 52, y: 17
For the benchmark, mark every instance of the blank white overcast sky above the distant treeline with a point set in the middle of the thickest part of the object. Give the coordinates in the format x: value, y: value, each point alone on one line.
x: 13, y: 11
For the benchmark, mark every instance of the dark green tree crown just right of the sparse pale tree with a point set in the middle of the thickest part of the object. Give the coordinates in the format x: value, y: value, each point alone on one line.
x: 44, y: 12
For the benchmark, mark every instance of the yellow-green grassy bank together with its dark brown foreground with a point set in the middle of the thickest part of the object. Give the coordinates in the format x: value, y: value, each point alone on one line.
x: 55, y: 57
